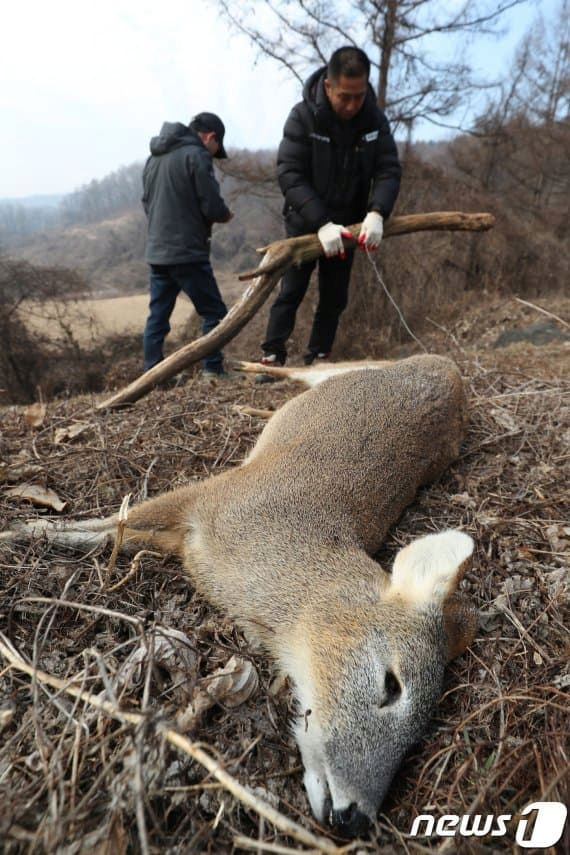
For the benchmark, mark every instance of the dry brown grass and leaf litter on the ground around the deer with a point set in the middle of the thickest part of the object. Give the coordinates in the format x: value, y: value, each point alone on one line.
x: 75, y: 778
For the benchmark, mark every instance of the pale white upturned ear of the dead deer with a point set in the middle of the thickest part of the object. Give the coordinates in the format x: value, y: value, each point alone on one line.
x: 428, y: 570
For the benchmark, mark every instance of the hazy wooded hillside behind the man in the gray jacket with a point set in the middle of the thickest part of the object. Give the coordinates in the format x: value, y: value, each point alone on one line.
x: 103, y: 231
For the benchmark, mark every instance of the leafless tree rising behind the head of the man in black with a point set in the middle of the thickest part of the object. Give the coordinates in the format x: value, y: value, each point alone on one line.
x: 400, y: 36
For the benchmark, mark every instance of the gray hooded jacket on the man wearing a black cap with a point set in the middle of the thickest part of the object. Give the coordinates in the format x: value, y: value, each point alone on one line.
x: 181, y: 197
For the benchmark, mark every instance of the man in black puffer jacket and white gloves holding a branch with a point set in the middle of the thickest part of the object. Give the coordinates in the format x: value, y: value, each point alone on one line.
x: 337, y: 165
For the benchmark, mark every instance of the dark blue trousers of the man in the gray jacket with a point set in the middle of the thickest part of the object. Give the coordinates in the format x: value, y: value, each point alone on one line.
x: 198, y: 282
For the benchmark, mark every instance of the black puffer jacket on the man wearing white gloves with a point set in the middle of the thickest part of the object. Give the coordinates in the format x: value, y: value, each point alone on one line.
x: 333, y: 170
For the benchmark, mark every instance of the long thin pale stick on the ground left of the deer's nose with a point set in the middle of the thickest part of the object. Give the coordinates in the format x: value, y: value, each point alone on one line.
x: 192, y: 749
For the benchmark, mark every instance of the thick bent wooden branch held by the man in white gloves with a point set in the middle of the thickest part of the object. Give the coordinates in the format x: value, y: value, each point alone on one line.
x: 278, y: 256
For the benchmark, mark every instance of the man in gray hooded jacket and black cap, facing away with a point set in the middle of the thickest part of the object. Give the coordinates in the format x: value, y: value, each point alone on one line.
x: 182, y: 200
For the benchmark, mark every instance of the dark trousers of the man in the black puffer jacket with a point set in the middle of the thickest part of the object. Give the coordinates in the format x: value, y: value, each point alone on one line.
x: 334, y: 279
